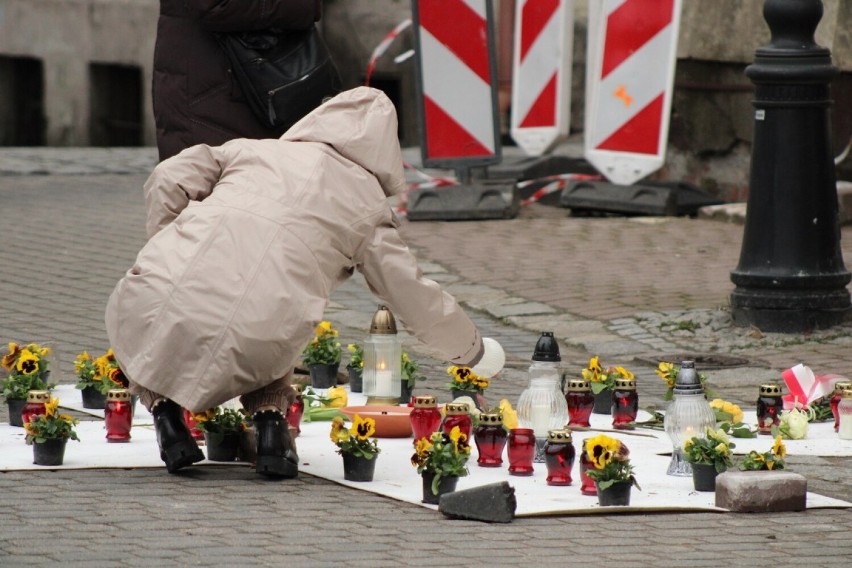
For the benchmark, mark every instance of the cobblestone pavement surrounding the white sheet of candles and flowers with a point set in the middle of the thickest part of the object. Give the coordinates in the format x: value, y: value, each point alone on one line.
x: 629, y: 290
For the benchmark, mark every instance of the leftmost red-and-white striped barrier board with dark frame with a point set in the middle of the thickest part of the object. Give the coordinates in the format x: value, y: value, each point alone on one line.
x: 457, y: 82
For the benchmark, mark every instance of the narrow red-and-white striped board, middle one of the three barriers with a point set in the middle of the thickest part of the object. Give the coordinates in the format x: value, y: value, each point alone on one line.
x: 541, y: 74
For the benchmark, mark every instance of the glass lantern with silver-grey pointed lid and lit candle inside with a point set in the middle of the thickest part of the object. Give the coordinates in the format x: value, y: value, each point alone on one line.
x: 688, y: 415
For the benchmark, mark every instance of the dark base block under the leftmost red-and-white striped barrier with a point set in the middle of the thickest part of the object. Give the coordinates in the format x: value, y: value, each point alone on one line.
x: 481, y: 199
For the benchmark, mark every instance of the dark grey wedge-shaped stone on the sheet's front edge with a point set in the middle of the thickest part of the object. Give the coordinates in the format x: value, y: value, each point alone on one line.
x: 493, y: 503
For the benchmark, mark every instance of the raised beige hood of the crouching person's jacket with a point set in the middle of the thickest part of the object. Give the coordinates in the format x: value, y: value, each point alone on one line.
x: 361, y: 125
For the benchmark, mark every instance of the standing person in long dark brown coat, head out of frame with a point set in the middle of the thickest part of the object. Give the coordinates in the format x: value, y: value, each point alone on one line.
x: 196, y: 101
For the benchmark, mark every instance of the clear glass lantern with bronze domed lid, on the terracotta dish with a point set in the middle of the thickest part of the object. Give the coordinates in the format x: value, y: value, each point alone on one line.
x: 383, y: 360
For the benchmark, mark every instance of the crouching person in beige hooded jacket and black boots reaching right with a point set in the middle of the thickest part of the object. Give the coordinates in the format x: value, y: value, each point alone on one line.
x: 247, y: 241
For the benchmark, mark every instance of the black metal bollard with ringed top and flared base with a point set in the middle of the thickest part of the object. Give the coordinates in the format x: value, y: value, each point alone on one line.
x: 791, y: 277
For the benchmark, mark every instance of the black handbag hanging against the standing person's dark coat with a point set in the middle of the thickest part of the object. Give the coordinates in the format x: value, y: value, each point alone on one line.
x: 283, y: 75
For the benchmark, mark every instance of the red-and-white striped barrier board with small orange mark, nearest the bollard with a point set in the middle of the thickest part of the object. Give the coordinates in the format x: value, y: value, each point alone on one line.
x: 632, y: 56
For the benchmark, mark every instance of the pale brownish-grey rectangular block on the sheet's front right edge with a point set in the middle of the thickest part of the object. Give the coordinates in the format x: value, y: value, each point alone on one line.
x: 761, y: 491
